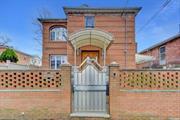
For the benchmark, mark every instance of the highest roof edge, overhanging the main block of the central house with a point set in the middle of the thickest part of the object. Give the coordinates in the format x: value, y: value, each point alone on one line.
x: 133, y: 10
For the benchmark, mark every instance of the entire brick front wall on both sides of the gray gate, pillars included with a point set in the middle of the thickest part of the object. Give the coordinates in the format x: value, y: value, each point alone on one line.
x: 46, y: 94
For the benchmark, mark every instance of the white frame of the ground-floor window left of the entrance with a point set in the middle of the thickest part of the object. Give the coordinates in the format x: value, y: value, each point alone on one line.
x: 62, y: 58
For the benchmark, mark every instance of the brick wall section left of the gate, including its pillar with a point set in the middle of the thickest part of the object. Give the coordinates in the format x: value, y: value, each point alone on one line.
x: 35, y: 94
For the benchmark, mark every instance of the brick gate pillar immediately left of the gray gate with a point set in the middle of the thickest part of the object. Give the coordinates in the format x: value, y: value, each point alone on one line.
x: 66, y: 76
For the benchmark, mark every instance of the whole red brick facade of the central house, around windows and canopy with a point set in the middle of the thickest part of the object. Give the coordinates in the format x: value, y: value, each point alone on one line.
x: 122, y: 49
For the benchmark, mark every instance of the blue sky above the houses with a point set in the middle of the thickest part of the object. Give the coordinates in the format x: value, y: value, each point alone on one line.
x: 16, y: 18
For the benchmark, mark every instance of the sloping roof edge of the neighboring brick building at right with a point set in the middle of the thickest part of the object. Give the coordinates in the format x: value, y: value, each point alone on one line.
x: 161, y: 43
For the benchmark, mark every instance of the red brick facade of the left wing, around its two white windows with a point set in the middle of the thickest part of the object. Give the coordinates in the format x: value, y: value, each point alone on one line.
x: 52, y: 47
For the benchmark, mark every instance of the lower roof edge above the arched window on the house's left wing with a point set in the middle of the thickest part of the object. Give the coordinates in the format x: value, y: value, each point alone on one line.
x: 42, y: 20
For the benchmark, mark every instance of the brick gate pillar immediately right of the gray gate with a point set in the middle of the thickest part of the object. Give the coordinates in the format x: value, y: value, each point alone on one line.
x: 113, y: 89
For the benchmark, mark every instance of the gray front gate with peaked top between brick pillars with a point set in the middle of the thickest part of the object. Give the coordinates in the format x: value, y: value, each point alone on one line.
x: 89, y: 89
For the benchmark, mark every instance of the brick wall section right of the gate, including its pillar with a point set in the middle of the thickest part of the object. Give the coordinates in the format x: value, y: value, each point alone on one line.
x: 144, y: 94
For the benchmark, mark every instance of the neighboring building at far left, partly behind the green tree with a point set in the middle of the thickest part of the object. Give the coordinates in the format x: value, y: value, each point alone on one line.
x: 24, y: 58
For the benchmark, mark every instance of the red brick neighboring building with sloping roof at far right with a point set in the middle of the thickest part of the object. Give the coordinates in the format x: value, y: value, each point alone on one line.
x: 166, y: 54
